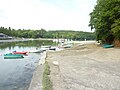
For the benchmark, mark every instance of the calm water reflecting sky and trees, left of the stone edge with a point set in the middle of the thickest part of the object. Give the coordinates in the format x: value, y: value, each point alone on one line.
x: 16, y: 74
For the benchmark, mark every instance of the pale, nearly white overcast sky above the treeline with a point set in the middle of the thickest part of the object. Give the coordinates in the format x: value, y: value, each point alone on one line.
x: 46, y: 14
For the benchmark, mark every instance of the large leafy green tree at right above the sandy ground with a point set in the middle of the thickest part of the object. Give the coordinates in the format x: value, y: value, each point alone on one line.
x: 105, y: 19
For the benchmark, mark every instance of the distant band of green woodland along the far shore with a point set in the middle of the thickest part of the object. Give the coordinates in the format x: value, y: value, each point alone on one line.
x: 75, y: 35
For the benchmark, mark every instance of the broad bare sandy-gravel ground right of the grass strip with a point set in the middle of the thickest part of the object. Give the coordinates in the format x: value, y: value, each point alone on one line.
x: 86, y: 67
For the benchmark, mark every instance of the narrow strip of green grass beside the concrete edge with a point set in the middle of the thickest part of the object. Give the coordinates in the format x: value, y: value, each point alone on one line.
x: 47, y: 84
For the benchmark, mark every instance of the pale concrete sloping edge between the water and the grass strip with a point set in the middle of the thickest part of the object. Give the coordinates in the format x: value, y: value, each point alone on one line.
x: 36, y: 81
